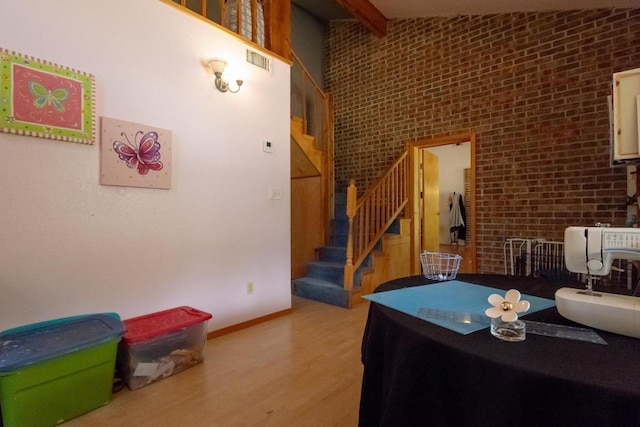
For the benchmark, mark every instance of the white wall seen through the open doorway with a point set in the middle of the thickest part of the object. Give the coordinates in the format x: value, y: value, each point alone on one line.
x: 453, y: 159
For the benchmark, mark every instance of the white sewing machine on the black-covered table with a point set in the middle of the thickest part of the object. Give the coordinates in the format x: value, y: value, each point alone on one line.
x: 591, y: 251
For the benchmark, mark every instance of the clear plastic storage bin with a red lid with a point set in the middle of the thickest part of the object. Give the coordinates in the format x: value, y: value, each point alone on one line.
x: 161, y: 344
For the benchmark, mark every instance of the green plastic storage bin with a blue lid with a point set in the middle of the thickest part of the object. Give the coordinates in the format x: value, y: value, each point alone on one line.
x: 53, y: 371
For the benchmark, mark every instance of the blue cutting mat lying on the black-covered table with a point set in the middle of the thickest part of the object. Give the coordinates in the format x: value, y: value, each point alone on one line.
x: 455, y: 305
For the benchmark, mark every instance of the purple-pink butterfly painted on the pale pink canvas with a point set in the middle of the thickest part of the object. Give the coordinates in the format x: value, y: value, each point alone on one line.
x: 143, y: 154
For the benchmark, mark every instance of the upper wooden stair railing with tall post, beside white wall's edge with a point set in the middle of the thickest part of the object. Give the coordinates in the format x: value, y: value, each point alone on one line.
x: 315, y: 107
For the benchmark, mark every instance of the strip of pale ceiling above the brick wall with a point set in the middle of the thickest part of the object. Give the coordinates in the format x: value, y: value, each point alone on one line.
x: 421, y: 8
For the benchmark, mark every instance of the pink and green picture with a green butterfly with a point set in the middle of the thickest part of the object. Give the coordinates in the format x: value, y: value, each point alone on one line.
x: 38, y: 98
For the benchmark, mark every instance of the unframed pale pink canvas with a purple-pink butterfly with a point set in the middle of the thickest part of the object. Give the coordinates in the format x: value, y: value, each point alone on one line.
x: 134, y: 155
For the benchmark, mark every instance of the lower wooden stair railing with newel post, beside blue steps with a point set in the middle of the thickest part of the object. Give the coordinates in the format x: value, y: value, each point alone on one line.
x: 371, y: 215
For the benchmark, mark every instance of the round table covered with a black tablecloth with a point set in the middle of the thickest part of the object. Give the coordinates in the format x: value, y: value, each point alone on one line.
x: 420, y: 374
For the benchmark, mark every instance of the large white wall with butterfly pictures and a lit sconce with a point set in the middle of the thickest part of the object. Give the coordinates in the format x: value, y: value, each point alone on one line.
x: 71, y: 246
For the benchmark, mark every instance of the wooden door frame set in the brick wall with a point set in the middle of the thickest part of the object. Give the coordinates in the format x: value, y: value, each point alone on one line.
x: 414, y: 193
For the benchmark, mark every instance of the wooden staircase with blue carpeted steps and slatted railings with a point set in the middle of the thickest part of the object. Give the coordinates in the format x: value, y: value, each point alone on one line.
x: 355, y: 227
